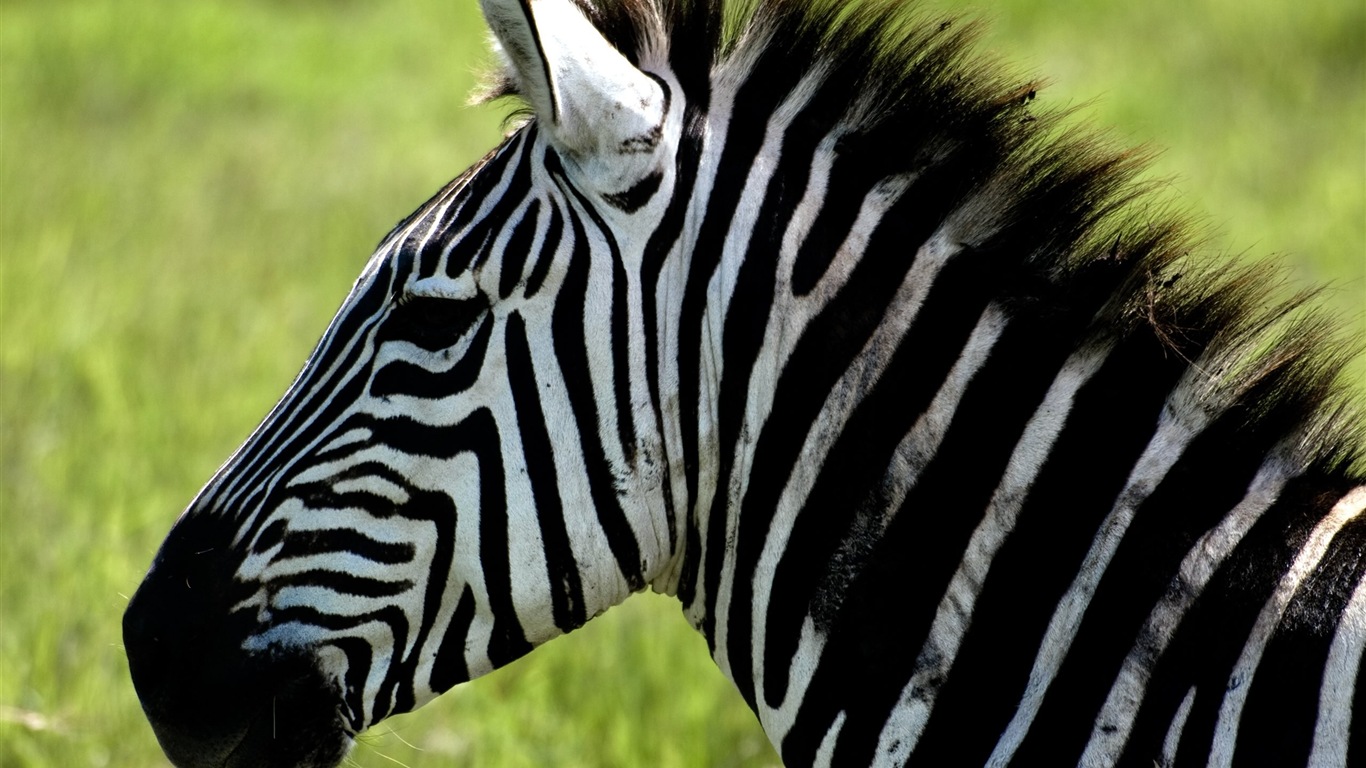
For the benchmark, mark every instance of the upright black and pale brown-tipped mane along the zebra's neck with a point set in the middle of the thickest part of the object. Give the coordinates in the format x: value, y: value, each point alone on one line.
x: 1057, y: 212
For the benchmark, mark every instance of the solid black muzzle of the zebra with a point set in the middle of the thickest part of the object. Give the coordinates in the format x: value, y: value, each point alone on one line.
x: 211, y: 702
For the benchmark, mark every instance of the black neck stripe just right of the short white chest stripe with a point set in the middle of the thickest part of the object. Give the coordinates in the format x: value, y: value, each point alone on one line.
x: 938, y: 517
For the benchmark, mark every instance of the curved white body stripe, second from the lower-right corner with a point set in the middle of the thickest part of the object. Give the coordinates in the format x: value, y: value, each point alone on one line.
x: 1241, y: 680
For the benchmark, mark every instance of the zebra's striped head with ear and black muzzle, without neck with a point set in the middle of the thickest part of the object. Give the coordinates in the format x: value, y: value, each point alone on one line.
x: 462, y: 469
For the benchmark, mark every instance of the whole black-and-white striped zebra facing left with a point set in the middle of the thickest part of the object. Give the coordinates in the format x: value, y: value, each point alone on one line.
x: 809, y: 318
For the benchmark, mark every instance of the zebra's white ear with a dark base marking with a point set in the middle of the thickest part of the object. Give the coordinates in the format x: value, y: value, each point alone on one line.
x: 602, y: 111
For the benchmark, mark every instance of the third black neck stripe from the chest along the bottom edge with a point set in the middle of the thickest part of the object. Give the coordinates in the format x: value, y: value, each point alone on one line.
x: 1065, y: 506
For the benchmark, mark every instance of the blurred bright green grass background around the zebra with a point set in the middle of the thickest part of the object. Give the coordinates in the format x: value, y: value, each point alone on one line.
x: 188, y: 189
